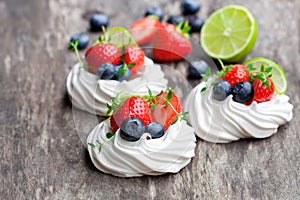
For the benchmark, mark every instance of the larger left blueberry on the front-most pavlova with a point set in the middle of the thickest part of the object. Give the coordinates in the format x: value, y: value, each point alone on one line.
x: 132, y: 129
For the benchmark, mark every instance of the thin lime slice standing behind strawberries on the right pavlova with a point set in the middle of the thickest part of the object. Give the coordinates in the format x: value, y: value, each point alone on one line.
x: 278, y: 75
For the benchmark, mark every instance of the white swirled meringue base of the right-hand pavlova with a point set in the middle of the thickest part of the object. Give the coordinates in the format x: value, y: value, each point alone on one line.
x: 226, y: 121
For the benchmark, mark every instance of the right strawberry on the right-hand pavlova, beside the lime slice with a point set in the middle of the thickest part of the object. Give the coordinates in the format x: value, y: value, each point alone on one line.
x: 262, y: 91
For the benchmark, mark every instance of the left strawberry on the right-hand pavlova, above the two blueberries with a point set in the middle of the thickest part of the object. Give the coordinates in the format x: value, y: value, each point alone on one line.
x: 237, y: 73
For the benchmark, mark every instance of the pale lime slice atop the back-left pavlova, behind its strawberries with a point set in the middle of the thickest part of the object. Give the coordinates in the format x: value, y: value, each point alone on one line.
x: 119, y: 36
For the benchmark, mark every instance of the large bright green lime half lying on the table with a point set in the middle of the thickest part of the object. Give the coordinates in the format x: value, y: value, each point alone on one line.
x: 229, y: 33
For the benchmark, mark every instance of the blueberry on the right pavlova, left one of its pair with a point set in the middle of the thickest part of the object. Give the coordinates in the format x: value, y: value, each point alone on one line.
x: 221, y: 90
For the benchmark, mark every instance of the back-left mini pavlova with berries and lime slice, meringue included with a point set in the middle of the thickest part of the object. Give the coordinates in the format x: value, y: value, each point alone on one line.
x: 113, y: 65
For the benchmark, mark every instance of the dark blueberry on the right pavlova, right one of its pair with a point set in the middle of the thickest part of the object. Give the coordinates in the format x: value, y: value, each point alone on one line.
x: 242, y: 92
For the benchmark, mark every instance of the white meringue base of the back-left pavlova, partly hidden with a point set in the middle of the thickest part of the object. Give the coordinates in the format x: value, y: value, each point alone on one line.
x: 89, y: 93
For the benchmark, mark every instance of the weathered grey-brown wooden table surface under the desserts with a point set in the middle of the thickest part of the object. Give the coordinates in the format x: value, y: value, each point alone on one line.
x: 42, y: 156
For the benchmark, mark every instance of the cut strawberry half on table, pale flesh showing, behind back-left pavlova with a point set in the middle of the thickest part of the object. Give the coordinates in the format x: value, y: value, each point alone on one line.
x: 144, y: 30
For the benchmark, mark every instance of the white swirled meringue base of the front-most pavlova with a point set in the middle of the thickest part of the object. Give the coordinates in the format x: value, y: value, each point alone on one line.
x: 122, y: 158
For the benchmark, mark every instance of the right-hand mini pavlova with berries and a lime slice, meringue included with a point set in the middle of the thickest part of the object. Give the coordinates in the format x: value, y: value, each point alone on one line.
x: 242, y: 101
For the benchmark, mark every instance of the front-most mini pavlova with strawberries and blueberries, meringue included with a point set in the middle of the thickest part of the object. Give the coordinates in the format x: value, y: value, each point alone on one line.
x: 144, y: 135
